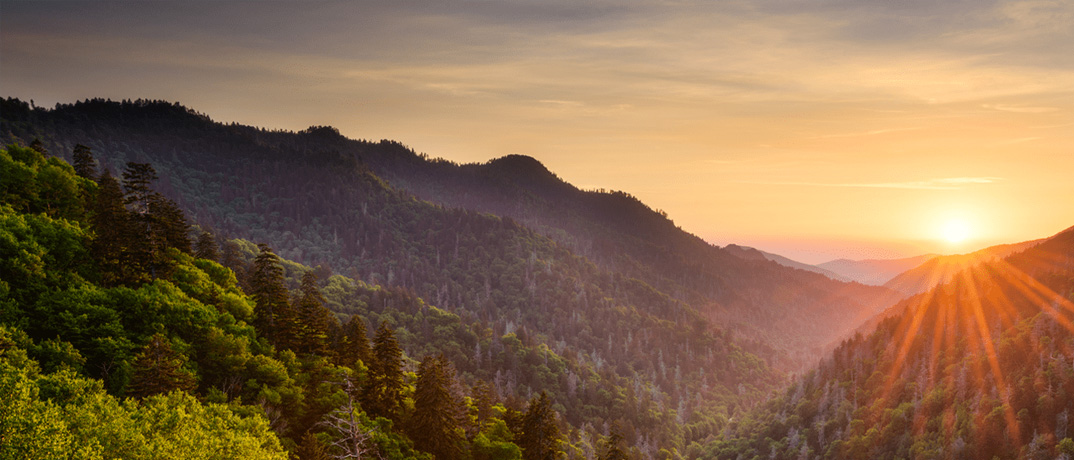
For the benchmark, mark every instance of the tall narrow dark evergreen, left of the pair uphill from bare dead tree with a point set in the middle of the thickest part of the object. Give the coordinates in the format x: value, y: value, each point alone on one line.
x: 269, y: 293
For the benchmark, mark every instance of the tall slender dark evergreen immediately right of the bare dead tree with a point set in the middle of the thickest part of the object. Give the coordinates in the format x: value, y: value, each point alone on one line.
x: 384, y: 391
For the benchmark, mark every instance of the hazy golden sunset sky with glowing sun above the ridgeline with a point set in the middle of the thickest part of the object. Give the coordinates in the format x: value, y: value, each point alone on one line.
x: 816, y: 130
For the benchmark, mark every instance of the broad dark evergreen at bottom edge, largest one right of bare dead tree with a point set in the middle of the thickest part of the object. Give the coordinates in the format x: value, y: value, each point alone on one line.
x: 434, y: 427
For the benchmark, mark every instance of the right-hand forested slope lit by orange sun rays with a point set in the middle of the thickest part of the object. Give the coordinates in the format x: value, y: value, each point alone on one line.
x: 981, y: 368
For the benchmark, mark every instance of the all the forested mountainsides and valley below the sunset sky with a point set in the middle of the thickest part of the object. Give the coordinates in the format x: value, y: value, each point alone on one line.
x: 173, y: 287
